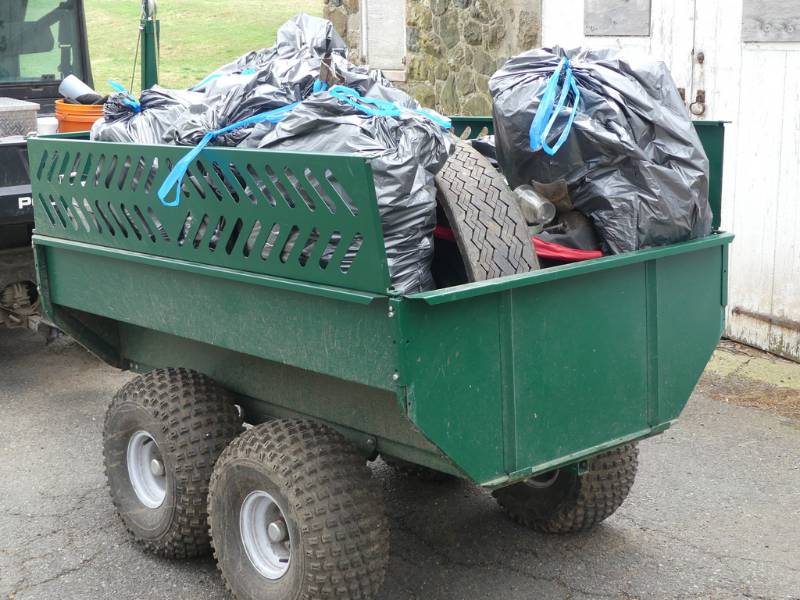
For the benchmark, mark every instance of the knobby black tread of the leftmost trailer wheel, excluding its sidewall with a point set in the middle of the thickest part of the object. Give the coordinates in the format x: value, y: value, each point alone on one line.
x: 199, y: 419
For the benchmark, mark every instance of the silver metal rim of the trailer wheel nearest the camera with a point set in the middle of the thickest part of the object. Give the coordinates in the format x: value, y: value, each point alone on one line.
x: 265, y: 535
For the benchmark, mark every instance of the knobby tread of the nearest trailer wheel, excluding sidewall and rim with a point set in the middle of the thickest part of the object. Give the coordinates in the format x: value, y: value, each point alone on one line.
x: 345, y: 531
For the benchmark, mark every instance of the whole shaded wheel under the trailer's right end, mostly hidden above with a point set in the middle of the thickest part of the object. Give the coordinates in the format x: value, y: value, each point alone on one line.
x: 562, y: 501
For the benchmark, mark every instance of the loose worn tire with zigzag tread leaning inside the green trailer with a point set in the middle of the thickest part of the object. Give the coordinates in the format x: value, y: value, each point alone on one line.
x: 491, y: 233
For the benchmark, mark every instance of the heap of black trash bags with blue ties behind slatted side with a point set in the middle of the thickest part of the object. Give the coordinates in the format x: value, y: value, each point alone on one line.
x: 321, y: 103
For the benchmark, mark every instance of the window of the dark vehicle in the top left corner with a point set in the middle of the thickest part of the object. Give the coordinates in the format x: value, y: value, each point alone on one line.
x: 39, y: 40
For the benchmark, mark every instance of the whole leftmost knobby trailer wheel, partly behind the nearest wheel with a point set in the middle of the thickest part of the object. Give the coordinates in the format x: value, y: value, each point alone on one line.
x: 163, y: 433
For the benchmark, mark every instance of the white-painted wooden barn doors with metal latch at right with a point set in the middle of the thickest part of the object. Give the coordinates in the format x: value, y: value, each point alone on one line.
x: 743, y: 56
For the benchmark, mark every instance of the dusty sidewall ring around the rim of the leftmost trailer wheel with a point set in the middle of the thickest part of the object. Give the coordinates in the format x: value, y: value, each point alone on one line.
x: 151, y: 524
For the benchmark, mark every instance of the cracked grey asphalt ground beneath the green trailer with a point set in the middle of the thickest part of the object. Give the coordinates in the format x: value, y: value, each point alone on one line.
x: 715, y: 512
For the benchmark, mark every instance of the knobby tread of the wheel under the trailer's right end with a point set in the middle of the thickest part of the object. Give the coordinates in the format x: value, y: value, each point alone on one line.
x: 592, y: 498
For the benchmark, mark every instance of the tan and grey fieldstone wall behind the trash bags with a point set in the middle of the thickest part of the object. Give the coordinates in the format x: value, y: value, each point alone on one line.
x: 453, y: 46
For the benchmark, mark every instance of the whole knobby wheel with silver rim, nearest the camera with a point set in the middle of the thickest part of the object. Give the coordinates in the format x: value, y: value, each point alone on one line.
x: 294, y: 513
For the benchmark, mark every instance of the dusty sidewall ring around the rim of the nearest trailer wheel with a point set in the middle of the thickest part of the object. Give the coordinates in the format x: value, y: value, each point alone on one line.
x: 234, y: 482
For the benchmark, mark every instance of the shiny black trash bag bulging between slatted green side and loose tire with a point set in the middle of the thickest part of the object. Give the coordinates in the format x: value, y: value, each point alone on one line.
x: 405, y: 151
